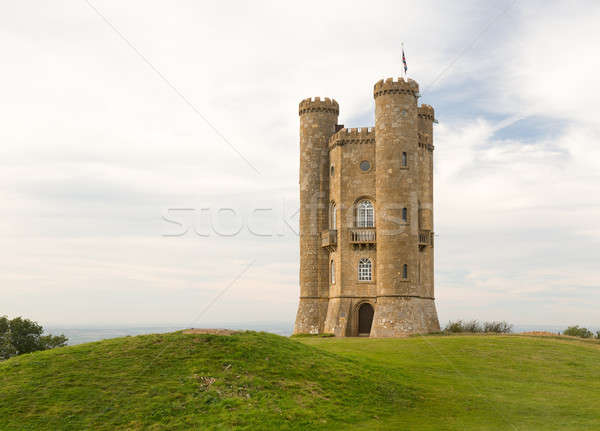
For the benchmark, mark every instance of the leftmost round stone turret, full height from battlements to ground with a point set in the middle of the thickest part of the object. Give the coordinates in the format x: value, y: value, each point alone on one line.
x: 318, y: 119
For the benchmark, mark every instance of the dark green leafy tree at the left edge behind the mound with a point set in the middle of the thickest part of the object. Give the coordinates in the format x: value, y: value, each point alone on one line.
x: 18, y: 336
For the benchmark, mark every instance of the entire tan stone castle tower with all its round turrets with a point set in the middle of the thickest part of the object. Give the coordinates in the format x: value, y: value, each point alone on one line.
x: 366, y: 218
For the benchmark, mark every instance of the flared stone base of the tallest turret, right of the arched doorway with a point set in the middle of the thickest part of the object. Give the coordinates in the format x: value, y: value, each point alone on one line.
x: 402, y: 316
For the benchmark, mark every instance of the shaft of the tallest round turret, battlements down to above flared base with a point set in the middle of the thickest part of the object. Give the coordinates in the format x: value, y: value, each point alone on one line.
x: 395, y: 135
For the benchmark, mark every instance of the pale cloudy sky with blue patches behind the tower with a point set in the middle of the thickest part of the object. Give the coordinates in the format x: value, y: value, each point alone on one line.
x: 149, y: 153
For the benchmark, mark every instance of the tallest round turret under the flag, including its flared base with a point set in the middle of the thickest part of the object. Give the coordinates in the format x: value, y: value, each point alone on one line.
x: 399, y: 309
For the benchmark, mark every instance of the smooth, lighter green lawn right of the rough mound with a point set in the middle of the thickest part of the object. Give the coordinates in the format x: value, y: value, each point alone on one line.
x: 487, y: 382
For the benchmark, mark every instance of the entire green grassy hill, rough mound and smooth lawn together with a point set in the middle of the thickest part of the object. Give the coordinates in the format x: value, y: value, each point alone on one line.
x: 261, y: 381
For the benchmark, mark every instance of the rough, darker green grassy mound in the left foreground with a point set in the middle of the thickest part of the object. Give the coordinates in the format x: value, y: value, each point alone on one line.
x: 262, y: 381
